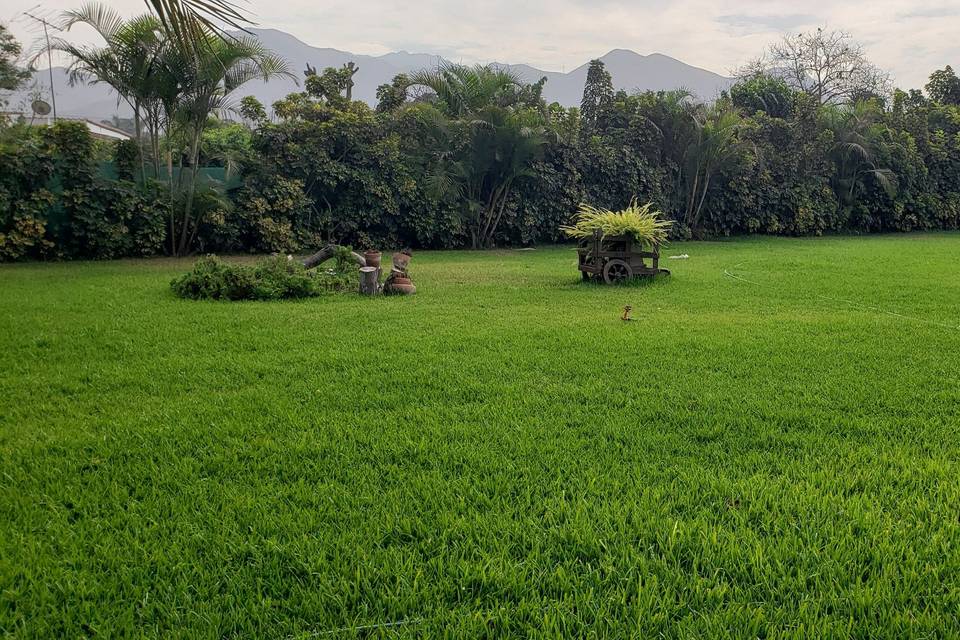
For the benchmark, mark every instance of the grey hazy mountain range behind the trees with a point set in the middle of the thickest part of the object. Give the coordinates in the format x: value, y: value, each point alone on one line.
x: 630, y: 71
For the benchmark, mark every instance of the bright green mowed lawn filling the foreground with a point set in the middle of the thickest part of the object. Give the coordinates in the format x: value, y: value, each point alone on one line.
x: 771, y: 449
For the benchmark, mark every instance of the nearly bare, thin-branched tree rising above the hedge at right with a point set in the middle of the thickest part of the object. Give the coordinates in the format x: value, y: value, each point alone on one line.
x: 828, y: 65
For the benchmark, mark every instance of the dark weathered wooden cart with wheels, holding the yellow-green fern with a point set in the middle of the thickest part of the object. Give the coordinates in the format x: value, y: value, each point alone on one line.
x: 617, y: 259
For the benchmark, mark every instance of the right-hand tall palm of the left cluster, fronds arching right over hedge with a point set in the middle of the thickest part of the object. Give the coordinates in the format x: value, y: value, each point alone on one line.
x: 207, y: 77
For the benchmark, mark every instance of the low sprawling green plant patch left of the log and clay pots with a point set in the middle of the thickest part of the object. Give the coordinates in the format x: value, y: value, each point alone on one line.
x: 274, y: 278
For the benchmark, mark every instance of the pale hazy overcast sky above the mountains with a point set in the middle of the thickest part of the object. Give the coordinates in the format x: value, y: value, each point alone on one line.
x: 910, y: 38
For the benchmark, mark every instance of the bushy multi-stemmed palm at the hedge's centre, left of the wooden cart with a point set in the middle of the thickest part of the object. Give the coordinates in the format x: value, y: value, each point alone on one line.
x: 487, y: 133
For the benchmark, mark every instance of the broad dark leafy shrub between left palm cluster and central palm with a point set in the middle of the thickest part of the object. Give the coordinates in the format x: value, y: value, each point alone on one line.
x: 351, y: 170
